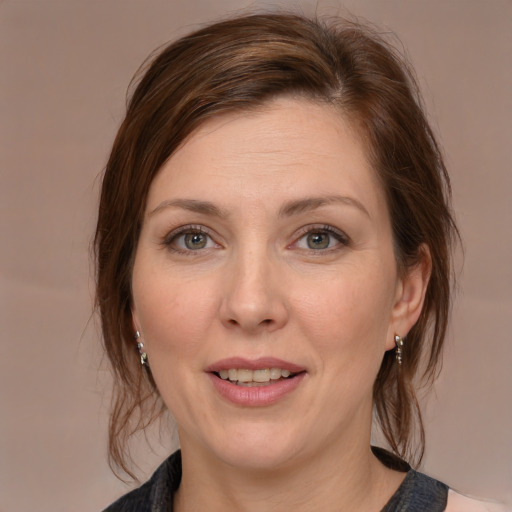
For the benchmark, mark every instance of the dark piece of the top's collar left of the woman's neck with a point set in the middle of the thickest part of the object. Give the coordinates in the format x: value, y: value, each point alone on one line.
x: 158, y: 490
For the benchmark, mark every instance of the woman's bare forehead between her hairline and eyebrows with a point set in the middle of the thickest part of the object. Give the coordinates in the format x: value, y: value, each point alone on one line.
x: 286, y: 147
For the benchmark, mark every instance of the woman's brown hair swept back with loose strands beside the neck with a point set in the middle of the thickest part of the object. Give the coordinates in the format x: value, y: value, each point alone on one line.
x: 239, y: 64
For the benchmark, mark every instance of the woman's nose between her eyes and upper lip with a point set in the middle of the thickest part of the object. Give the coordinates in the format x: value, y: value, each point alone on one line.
x: 254, y: 294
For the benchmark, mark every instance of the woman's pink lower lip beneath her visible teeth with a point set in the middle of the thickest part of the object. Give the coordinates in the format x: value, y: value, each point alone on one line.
x: 257, y: 396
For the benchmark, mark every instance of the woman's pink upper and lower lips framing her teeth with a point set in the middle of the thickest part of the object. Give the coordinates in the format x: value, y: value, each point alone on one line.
x: 255, y: 396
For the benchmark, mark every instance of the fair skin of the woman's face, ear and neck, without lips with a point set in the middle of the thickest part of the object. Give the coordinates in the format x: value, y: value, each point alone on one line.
x: 254, y: 286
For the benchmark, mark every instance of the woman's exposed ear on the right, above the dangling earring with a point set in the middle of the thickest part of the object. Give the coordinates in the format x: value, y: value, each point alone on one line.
x: 410, y: 296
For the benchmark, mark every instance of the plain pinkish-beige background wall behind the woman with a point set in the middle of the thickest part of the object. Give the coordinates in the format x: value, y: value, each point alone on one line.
x: 64, y: 68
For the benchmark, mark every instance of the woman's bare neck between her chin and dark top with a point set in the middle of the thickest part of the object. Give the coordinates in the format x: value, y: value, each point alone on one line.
x: 342, y: 478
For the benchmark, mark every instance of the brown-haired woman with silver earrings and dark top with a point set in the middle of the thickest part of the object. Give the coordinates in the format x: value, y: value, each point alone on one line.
x: 274, y: 237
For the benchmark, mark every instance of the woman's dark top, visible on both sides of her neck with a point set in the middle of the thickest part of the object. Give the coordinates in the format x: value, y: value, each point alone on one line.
x: 417, y: 493
